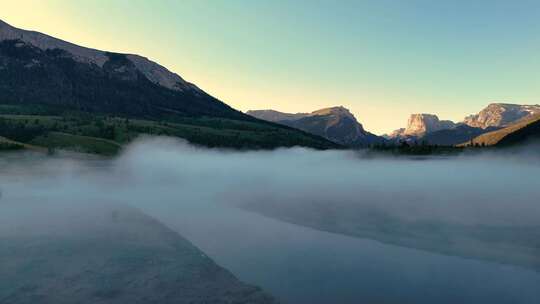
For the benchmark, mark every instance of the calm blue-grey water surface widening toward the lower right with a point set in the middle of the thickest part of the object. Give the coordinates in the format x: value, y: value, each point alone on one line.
x: 302, y: 265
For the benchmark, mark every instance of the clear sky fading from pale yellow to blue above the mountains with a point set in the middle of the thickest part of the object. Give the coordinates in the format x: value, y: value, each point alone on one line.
x: 382, y: 59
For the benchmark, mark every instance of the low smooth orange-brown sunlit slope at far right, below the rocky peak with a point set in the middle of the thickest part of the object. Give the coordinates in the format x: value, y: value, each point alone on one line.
x: 526, y: 128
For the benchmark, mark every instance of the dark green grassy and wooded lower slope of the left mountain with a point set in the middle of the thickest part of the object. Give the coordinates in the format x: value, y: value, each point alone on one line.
x: 105, y: 135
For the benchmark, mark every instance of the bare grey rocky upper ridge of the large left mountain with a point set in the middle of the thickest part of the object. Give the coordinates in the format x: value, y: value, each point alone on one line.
x: 153, y: 71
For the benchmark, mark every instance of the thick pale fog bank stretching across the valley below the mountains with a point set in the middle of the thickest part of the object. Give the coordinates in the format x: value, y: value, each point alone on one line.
x: 477, y: 189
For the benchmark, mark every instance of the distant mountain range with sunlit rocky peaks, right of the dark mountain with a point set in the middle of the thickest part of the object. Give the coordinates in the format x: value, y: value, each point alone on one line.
x: 339, y: 125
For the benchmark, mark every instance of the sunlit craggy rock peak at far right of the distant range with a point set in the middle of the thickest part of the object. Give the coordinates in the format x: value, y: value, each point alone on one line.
x: 500, y: 115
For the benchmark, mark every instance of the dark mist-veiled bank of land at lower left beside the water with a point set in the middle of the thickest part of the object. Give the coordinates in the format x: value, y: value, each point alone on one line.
x: 107, y: 254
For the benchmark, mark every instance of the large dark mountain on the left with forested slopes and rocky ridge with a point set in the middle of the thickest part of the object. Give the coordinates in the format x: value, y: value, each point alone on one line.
x: 58, y: 82
